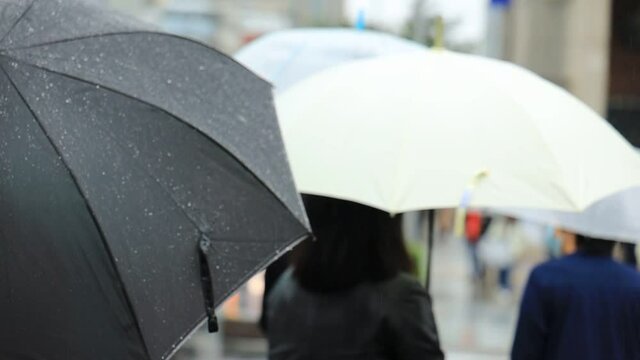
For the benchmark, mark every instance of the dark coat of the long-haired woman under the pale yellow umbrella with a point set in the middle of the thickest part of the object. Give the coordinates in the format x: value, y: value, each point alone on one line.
x: 373, y: 321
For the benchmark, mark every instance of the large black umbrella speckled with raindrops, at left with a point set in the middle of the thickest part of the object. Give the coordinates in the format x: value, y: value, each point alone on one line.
x: 142, y: 179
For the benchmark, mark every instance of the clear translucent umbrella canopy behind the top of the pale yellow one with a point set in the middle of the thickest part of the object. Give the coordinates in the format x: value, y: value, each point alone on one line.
x: 288, y: 56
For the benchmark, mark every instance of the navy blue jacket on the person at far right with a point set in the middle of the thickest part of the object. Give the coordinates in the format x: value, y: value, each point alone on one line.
x: 580, y: 307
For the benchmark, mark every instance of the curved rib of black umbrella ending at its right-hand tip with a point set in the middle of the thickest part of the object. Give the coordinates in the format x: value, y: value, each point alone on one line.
x: 177, y: 118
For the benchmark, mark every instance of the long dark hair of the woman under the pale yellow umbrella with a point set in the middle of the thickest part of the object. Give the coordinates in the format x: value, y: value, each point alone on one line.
x: 354, y: 244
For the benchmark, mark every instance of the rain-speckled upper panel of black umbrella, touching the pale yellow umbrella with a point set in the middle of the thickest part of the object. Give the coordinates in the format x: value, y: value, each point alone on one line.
x: 218, y: 96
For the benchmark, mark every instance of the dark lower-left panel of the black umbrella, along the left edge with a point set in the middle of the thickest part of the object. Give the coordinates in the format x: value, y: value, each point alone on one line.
x: 57, y: 286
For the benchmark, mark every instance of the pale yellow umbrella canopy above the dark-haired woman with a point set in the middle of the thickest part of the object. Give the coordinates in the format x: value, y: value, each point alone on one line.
x: 419, y: 130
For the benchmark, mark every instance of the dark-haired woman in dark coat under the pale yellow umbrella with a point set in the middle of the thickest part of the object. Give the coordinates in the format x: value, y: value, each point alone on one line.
x: 348, y: 294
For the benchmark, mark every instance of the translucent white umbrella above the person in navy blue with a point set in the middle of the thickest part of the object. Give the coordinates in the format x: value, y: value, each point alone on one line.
x: 614, y: 217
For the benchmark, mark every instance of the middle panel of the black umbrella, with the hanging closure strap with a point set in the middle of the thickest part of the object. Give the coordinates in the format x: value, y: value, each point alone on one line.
x: 121, y: 149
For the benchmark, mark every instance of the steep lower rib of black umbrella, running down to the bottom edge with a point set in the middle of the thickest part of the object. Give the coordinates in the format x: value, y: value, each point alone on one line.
x: 87, y: 205
